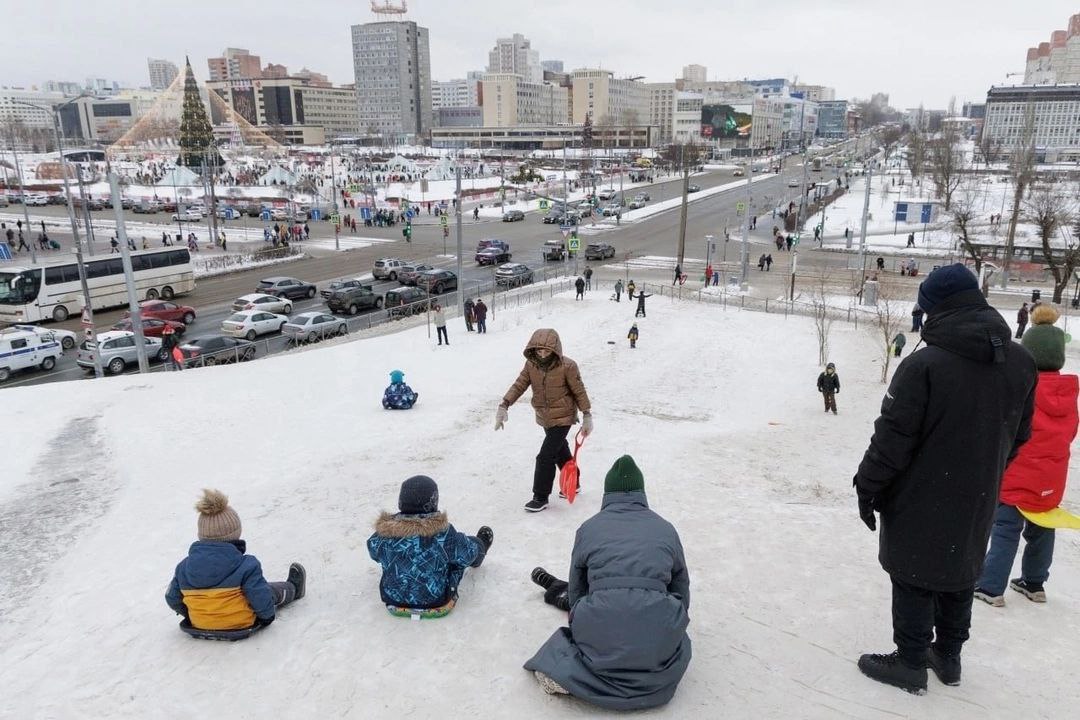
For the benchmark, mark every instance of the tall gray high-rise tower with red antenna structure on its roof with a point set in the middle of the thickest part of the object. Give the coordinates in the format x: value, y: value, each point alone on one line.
x: 393, y: 64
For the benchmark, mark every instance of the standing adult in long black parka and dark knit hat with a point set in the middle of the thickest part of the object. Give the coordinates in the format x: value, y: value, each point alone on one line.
x: 955, y: 415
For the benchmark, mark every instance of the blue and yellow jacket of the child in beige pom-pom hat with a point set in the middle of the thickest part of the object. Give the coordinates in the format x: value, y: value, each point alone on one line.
x: 219, y: 588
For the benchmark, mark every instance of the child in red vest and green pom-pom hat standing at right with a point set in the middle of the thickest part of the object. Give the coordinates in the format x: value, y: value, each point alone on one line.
x: 1035, y: 480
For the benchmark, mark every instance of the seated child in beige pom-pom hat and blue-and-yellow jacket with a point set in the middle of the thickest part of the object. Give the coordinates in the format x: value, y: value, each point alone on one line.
x: 219, y: 588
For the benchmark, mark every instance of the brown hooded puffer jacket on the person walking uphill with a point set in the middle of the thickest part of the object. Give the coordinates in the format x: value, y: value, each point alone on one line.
x: 558, y: 392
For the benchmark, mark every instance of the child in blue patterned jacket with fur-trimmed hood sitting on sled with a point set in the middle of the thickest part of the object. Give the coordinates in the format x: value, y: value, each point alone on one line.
x: 423, y: 556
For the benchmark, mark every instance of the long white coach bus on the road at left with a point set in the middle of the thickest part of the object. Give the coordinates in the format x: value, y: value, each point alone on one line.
x: 53, y: 292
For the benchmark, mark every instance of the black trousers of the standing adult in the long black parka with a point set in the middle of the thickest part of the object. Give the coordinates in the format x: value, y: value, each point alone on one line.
x: 919, y: 613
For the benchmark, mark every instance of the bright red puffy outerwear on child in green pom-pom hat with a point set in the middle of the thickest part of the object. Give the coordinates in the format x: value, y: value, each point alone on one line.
x: 1036, y: 478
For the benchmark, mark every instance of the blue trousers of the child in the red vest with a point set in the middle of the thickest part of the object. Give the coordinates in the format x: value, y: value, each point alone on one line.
x: 1009, y: 524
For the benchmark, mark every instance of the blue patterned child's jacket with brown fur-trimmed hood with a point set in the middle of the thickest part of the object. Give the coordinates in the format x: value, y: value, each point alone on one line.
x: 421, y: 555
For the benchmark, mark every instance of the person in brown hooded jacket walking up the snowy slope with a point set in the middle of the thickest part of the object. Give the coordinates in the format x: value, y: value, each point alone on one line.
x: 558, y: 396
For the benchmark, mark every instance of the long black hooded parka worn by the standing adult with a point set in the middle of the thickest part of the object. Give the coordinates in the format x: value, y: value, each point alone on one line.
x: 955, y: 414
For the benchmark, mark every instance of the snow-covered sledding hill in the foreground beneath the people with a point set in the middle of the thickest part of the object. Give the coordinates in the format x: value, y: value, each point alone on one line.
x: 718, y: 406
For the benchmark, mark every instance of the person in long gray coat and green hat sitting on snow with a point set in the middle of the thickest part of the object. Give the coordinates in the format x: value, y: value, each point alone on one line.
x: 628, y: 596
